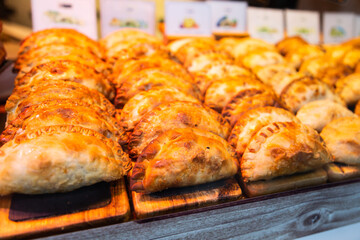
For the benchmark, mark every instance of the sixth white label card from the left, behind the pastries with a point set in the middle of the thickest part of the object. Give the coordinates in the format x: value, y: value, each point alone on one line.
x: 303, y: 23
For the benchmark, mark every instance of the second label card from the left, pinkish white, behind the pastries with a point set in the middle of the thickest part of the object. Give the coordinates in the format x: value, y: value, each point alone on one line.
x: 116, y: 14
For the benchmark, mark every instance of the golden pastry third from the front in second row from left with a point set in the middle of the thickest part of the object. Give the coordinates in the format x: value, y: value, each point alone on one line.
x: 146, y: 101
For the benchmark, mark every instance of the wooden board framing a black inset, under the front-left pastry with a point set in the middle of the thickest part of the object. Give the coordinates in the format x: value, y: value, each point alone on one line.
x: 117, y: 211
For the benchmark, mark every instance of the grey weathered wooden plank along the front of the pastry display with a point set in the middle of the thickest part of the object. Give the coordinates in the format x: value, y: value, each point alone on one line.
x: 286, y: 215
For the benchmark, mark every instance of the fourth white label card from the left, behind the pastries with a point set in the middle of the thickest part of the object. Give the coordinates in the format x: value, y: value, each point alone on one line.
x: 228, y: 17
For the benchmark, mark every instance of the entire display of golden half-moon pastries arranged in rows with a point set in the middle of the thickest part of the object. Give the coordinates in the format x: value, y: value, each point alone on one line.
x: 193, y: 112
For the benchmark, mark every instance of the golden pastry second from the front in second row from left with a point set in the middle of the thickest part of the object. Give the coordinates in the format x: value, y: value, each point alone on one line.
x: 175, y: 115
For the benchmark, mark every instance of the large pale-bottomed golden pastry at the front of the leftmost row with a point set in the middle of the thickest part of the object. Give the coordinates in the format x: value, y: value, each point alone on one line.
x: 59, y: 159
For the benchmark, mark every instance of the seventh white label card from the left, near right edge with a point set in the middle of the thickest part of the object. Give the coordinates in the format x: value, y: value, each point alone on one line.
x: 338, y: 27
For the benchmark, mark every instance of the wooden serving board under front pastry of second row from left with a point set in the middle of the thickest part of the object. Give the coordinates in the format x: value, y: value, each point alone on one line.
x: 179, y: 199
